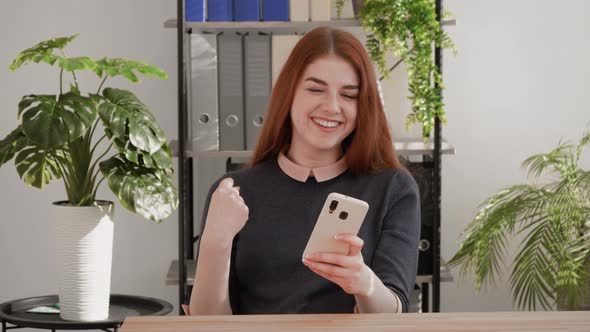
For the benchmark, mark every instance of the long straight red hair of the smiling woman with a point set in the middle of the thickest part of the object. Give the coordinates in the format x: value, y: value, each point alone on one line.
x: 369, y: 147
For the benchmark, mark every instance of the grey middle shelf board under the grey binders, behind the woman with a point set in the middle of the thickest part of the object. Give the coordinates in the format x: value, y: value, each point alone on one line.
x: 403, y: 146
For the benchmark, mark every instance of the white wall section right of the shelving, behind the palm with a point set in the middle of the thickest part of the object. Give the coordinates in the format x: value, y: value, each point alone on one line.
x: 518, y: 84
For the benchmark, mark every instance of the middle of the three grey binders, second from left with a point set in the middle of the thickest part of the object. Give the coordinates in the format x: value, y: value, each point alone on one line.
x: 231, y: 92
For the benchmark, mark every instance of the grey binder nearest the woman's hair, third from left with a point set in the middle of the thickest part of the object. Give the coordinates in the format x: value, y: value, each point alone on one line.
x: 258, y: 71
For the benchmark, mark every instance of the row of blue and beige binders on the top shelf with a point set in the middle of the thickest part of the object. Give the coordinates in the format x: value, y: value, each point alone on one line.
x: 257, y: 10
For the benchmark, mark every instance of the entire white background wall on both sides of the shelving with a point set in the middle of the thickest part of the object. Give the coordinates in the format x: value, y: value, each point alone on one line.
x: 516, y: 86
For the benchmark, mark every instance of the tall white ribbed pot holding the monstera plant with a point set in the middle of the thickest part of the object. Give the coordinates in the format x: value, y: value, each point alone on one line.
x: 84, y: 241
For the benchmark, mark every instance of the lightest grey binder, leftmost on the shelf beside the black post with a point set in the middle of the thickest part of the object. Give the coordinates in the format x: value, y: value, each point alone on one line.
x: 202, y: 101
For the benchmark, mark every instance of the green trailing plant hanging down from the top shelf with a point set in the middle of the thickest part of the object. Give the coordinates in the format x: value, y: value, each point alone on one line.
x: 409, y: 29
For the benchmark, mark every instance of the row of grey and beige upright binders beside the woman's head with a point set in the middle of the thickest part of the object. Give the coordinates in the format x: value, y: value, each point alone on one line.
x: 231, y: 80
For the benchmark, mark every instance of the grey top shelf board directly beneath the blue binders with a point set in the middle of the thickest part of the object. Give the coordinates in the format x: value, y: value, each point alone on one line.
x: 270, y: 27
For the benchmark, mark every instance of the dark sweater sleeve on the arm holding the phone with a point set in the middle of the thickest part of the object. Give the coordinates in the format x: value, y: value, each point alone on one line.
x: 396, y: 256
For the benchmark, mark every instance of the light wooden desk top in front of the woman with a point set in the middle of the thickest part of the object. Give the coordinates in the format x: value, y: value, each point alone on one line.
x: 429, y: 322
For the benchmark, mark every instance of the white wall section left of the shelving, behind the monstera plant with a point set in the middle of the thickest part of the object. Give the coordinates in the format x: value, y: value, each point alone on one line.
x: 114, y: 28
